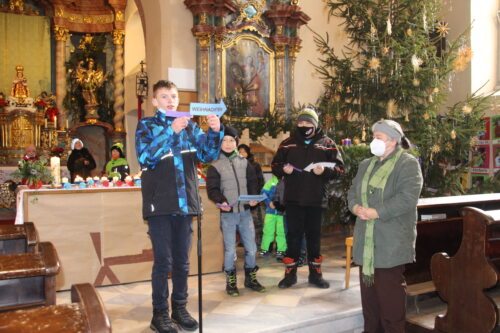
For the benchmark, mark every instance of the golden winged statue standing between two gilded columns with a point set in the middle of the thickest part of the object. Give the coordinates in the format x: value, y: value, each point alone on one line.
x: 90, y: 80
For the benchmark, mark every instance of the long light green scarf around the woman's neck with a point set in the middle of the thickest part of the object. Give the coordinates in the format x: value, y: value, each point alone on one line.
x: 377, y: 180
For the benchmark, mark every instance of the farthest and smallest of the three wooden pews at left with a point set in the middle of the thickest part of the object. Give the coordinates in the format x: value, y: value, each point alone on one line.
x: 18, y: 238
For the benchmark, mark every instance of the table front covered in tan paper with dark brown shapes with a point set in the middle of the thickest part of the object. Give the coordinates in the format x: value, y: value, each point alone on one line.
x: 100, y: 236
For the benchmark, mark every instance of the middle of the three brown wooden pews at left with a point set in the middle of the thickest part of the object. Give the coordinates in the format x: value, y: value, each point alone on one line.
x: 28, y: 279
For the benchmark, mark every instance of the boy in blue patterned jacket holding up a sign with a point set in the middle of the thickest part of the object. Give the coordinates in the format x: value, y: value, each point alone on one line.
x: 168, y: 146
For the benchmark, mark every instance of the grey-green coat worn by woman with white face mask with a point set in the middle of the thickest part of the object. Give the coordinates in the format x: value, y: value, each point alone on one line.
x: 395, y: 230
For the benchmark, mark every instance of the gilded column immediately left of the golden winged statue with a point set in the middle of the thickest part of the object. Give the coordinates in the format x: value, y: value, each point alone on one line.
x: 61, y: 36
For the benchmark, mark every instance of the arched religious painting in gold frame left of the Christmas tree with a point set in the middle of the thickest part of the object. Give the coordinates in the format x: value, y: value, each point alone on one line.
x: 248, y: 73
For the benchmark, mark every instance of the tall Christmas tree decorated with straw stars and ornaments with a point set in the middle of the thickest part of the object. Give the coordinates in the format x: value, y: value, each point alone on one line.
x: 397, y: 65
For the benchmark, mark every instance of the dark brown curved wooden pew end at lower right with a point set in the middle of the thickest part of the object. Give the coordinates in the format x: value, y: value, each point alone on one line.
x: 462, y: 279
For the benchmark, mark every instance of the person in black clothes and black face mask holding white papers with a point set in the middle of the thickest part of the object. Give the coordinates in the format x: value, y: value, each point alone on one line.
x: 305, y: 193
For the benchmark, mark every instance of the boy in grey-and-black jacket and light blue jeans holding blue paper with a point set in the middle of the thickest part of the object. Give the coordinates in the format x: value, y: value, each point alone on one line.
x: 228, y: 178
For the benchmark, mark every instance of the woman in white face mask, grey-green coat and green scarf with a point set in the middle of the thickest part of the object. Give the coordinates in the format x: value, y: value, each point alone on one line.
x: 384, y: 196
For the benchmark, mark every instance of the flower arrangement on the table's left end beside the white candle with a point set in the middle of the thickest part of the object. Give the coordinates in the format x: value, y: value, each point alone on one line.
x: 33, y: 172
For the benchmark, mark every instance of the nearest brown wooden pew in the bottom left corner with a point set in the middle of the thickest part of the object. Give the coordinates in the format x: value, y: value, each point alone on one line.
x: 86, y: 313
